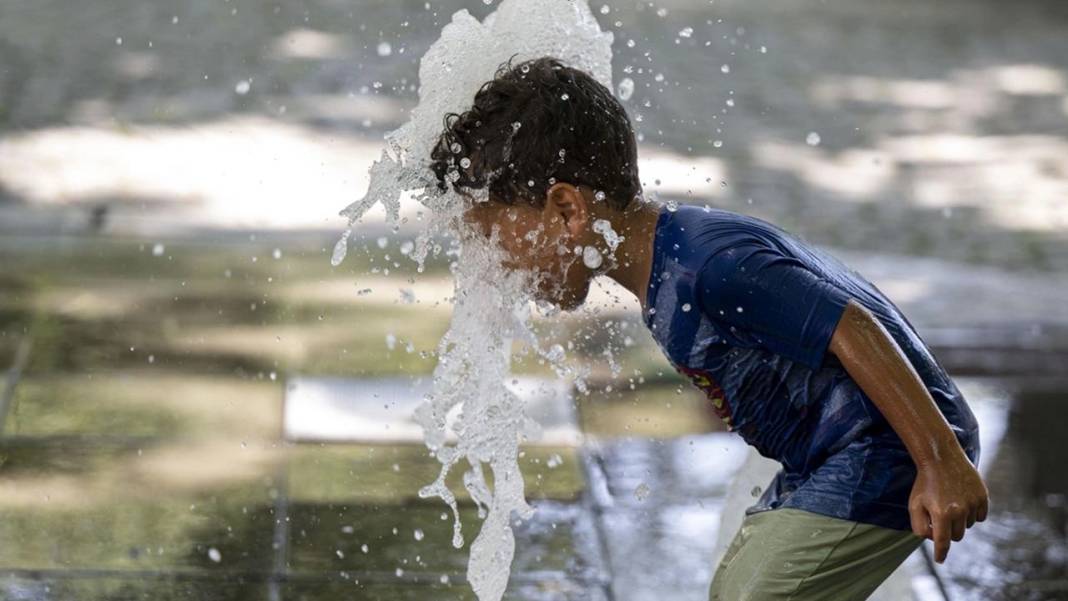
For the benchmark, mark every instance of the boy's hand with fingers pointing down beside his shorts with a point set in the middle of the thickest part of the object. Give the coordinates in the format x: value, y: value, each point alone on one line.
x: 947, y: 499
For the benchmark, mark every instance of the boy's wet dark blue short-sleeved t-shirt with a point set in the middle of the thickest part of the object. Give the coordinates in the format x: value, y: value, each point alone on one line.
x: 747, y: 312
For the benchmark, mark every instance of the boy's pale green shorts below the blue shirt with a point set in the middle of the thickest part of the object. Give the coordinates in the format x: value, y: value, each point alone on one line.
x: 794, y: 556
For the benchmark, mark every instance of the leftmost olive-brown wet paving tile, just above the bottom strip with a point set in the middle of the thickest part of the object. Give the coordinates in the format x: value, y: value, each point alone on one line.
x: 101, y: 507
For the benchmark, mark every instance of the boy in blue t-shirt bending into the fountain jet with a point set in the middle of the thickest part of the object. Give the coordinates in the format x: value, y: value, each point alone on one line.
x: 805, y: 359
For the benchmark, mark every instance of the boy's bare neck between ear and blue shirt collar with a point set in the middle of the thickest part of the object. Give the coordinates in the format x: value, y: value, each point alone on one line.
x: 638, y: 227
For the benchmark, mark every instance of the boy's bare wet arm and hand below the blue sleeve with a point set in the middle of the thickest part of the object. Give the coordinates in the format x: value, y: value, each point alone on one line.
x: 949, y: 495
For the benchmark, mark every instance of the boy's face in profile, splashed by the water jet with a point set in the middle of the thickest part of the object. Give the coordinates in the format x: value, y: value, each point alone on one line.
x: 541, y: 242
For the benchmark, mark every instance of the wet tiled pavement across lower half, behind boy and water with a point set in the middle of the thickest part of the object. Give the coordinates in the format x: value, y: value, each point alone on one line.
x: 145, y: 452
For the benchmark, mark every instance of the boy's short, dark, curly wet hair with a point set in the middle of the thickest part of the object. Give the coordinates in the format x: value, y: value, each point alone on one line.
x: 537, y: 123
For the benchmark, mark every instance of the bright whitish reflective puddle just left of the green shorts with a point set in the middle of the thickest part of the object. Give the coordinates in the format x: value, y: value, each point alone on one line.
x: 659, y: 507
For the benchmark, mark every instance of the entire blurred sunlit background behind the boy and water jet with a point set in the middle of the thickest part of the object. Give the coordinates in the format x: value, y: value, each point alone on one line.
x: 197, y: 406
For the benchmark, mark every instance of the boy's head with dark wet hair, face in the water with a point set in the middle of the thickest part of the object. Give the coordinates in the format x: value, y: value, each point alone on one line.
x: 556, y: 152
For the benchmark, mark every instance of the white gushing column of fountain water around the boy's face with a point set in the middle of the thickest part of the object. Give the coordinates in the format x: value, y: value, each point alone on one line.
x: 490, y: 313
